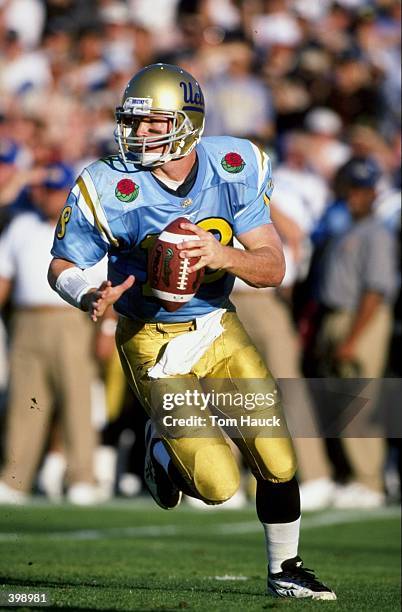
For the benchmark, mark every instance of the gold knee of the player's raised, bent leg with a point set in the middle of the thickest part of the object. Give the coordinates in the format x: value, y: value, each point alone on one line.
x: 216, y: 476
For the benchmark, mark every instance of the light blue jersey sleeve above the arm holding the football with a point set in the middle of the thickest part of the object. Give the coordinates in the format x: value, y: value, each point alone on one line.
x: 252, y: 200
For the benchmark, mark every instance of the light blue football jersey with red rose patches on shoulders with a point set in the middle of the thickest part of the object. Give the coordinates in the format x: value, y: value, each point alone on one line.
x: 118, y: 209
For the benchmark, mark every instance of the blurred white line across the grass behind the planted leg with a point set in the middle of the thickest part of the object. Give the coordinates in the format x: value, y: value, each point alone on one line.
x: 331, y: 517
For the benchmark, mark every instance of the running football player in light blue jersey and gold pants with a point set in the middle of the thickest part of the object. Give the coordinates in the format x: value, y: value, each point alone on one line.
x: 118, y: 205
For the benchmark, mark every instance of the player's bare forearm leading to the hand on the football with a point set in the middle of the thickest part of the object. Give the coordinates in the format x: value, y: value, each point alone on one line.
x: 263, y: 267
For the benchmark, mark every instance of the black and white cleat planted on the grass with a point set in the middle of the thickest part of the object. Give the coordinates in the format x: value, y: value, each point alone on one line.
x: 297, y: 581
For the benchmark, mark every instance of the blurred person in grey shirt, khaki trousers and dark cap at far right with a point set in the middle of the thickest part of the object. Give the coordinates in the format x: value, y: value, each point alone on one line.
x: 357, y: 288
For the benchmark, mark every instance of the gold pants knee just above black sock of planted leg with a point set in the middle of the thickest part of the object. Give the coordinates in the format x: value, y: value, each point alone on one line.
x: 276, y: 458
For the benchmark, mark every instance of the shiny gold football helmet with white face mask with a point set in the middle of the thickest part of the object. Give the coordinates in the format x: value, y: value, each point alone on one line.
x: 168, y: 92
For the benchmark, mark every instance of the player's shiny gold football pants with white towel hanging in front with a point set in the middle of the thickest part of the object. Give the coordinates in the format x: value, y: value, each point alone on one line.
x: 199, y: 450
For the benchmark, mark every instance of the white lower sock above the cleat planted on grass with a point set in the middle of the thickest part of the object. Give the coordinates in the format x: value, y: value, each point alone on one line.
x: 282, y: 540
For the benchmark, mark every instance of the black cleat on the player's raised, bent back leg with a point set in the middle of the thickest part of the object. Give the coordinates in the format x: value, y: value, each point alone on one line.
x: 161, y: 487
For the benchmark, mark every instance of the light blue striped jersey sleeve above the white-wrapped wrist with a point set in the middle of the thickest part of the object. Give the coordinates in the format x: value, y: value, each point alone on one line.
x: 79, y: 237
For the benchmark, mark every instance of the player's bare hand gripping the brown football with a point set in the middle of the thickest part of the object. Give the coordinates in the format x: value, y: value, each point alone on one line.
x: 211, y: 252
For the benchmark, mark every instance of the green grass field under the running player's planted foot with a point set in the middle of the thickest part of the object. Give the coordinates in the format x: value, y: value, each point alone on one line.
x: 133, y: 556
